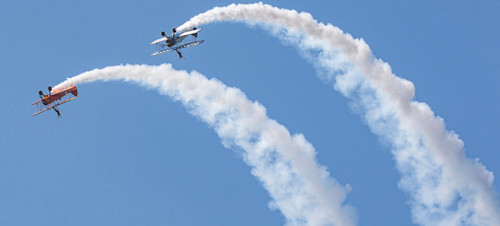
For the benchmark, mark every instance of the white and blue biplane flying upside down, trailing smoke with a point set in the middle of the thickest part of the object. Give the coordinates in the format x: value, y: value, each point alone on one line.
x: 176, y: 41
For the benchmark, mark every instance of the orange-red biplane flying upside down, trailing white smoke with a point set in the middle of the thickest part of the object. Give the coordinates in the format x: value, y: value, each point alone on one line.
x: 54, y: 99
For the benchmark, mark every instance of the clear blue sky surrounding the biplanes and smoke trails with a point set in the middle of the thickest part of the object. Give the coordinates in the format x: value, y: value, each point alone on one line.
x: 125, y: 155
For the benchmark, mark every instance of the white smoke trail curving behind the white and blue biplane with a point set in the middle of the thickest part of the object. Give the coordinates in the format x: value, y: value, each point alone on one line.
x: 446, y: 188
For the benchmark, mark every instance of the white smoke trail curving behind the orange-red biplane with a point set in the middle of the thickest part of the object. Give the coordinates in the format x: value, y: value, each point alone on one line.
x: 286, y: 164
